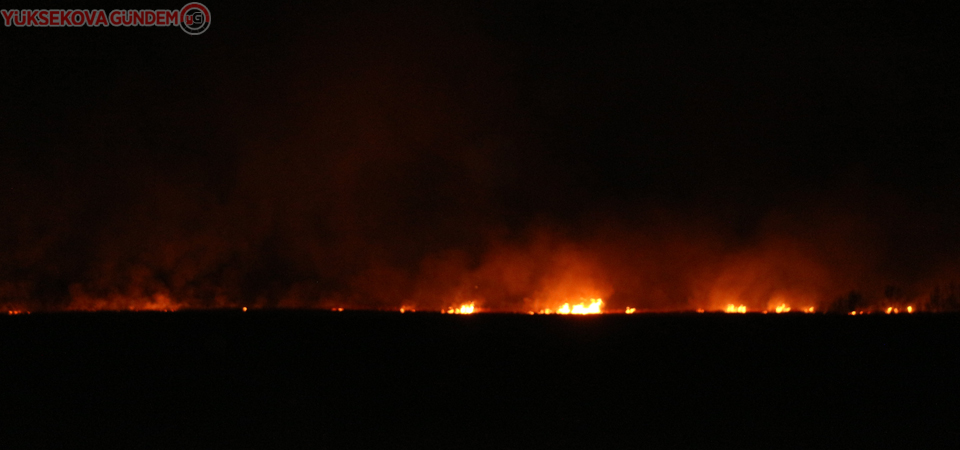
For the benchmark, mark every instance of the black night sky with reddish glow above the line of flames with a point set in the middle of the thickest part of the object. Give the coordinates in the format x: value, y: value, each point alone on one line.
x: 661, y: 154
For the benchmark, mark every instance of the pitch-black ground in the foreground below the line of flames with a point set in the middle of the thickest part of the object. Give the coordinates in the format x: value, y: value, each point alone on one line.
x: 298, y: 379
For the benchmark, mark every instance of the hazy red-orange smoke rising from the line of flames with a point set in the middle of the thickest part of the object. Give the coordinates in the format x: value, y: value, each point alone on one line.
x: 413, y: 157
